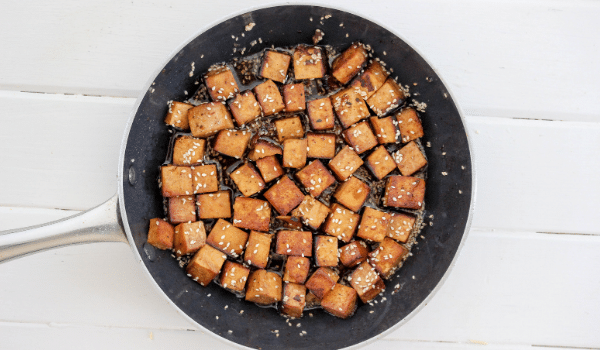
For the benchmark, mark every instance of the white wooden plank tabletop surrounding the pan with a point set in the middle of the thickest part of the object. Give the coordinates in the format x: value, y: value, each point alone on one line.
x: 525, y: 72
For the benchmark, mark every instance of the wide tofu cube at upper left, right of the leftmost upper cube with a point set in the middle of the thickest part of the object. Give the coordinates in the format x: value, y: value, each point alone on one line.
x: 209, y: 118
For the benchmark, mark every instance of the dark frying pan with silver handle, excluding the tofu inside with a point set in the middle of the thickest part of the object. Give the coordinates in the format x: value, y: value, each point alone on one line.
x: 448, y: 197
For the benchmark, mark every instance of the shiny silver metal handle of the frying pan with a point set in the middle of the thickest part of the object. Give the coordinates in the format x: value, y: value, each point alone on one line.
x: 100, y: 224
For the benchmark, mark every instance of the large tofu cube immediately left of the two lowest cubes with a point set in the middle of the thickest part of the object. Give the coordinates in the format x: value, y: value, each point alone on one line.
x: 264, y: 287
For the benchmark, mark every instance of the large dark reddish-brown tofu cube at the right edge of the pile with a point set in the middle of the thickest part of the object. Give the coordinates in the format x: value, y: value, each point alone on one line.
x: 404, y: 192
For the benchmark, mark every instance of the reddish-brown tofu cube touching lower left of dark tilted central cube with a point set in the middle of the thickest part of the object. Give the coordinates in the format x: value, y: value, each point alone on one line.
x: 252, y: 214
